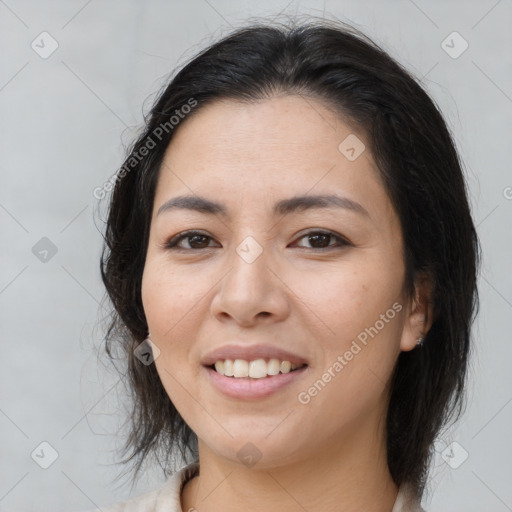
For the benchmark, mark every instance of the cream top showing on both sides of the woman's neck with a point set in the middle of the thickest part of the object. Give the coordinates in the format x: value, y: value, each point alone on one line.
x: 168, y: 497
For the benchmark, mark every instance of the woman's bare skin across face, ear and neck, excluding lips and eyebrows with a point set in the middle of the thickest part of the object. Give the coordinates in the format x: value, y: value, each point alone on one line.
x: 329, y: 454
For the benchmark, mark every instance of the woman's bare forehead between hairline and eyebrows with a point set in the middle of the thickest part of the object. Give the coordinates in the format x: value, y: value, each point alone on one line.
x: 276, y: 147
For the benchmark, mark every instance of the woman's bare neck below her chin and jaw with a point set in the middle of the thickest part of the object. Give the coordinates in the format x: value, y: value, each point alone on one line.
x: 345, y: 477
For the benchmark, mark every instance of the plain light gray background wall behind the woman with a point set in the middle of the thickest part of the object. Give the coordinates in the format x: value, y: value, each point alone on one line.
x: 64, y: 120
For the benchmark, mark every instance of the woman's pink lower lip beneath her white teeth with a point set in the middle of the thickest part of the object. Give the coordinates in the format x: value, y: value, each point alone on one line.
x: 248, y: 388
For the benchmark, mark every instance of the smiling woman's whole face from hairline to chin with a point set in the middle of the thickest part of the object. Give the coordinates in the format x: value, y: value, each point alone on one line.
x: 261, y: 276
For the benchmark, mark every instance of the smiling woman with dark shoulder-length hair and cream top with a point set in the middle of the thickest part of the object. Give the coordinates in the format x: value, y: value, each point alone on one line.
x: 291, y: 238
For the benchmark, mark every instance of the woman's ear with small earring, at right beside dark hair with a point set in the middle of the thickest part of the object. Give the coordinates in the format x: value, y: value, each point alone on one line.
x: 420, y: 312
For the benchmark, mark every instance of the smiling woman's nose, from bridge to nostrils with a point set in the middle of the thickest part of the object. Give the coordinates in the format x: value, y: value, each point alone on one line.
x: 251, y: 292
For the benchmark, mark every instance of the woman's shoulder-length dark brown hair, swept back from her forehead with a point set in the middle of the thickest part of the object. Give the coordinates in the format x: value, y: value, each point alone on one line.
x: 420, y: 167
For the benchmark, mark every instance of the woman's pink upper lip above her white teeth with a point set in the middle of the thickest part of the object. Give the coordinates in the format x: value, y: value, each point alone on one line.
x: 250, y: 353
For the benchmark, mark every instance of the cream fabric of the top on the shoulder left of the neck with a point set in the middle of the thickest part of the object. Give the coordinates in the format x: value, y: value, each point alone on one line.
x: 167, y: 498
